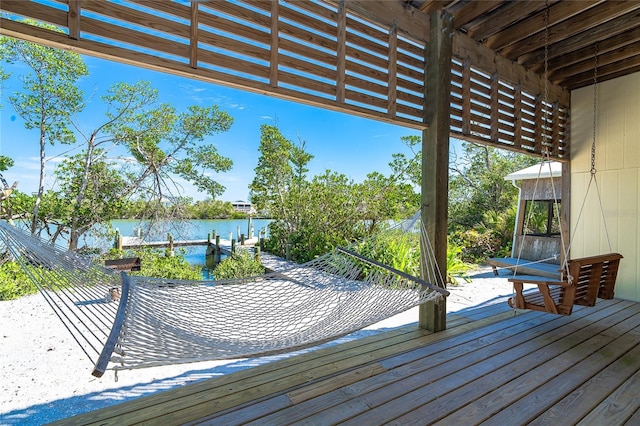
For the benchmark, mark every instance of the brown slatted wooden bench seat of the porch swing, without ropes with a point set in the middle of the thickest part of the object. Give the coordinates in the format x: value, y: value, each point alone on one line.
x: 589, y: 278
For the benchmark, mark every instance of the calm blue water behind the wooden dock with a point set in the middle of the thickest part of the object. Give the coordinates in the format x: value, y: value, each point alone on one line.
x: 189, y: 230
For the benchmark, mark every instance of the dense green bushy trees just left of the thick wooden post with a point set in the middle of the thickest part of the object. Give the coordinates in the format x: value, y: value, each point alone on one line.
x: 314, y: 214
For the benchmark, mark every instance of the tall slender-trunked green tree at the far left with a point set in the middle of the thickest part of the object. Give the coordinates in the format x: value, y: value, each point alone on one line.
x: 49, y: 97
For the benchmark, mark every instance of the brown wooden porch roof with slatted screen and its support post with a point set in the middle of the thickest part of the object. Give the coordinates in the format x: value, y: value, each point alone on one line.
x: 492, y: 72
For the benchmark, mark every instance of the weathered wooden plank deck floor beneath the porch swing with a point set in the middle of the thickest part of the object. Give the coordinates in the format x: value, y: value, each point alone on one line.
x: 491, y: 365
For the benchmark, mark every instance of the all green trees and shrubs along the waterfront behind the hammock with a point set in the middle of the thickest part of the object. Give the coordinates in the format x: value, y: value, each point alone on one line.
x: 127, y: 165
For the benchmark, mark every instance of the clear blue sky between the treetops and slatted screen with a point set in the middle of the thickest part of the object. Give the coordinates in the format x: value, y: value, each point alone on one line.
x: 339, y: 142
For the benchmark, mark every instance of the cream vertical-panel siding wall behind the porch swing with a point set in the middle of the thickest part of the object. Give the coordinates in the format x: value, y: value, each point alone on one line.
x: 618, y: 177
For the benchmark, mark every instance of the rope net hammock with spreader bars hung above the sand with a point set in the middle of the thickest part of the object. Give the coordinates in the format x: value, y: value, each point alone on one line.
x: 163, y: 321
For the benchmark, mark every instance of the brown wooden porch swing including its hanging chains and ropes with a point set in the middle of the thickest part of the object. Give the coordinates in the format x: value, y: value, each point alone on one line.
x: 581, y: 281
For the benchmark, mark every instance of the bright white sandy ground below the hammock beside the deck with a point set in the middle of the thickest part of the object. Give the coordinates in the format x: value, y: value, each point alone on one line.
x: 44, y: 376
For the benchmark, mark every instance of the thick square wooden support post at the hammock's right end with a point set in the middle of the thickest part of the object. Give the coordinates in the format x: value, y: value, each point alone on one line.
x: 435, y: 159
